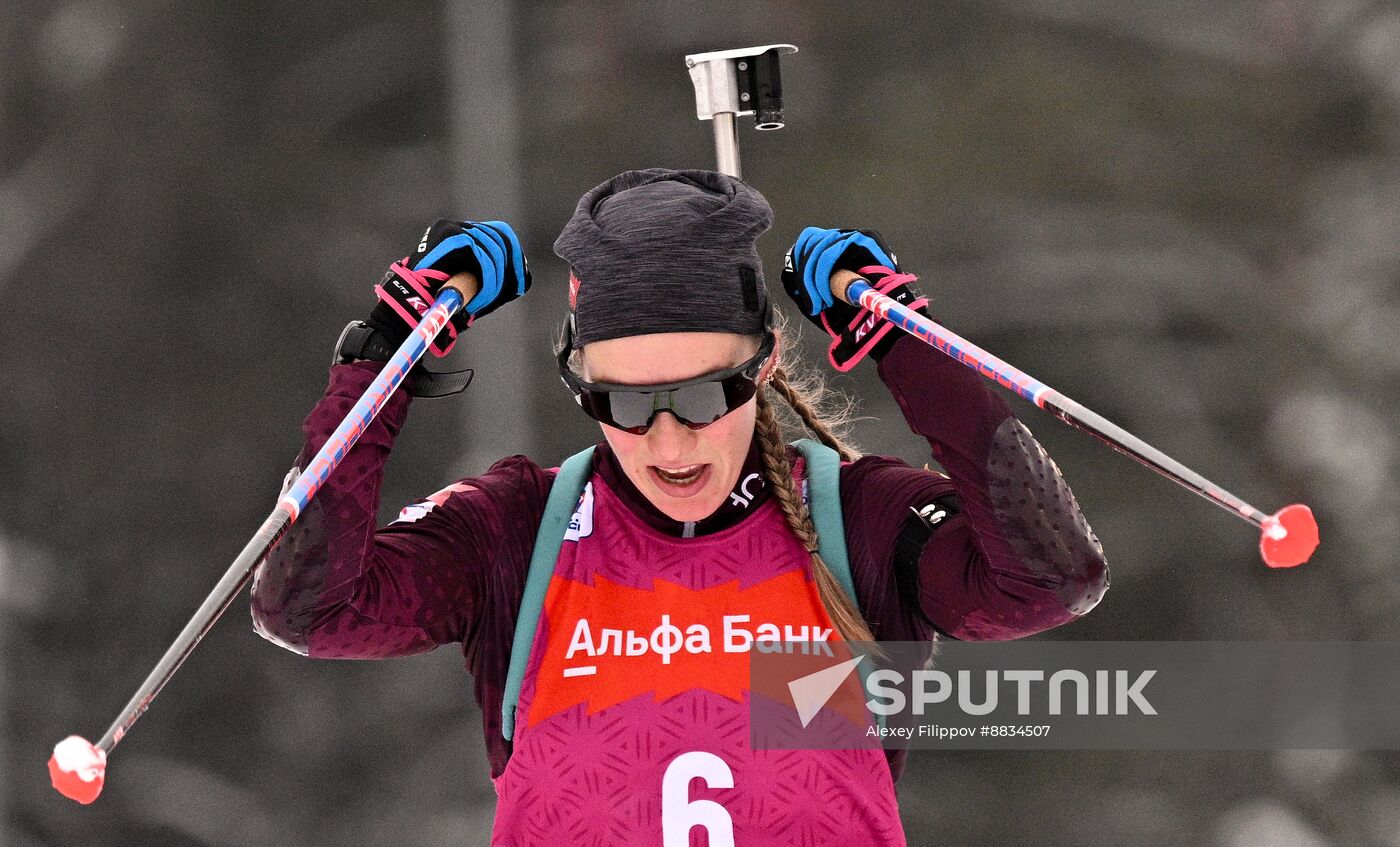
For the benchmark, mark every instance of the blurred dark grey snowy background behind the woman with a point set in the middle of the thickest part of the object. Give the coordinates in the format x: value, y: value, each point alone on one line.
x: 1185, y: 215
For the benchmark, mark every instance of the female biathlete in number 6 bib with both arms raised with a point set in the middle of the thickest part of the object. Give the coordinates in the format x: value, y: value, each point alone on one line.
x: 689, y: 519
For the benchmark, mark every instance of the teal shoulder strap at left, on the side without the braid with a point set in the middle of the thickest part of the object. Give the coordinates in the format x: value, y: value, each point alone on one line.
x: 559, y: 510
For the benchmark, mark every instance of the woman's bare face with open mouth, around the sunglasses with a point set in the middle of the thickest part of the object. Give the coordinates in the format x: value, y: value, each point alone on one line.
x: 684, y: 472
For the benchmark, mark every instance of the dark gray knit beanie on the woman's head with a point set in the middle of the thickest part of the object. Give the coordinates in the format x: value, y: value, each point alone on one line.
x: 666, y: 251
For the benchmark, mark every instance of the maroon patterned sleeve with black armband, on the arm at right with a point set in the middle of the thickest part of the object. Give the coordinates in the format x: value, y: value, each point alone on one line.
x: 1010, y: 556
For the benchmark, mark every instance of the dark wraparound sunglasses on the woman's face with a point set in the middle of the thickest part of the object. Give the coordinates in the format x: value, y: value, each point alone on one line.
x: 695, y: 402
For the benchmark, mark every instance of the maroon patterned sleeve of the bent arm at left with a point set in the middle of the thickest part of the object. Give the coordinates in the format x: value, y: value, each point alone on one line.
x: 337, y: 587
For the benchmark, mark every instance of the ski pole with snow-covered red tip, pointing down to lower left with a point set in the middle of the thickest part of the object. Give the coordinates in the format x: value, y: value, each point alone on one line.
x: 78, y: 766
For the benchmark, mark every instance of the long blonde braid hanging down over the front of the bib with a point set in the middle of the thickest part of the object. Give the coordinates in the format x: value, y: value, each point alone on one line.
x: 778, y: 471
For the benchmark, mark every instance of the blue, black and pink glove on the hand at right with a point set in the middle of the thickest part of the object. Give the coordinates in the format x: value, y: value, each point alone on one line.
x: 807, y: 276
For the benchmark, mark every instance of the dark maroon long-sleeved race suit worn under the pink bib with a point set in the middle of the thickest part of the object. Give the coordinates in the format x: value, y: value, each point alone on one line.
x: 1003, y: 552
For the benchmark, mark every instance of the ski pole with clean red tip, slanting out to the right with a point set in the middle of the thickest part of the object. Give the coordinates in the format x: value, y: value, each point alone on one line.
x: 1287, y: 537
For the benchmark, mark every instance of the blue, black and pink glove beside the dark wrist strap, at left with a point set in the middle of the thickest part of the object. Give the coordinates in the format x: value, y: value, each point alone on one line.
x: 486, y: 253
